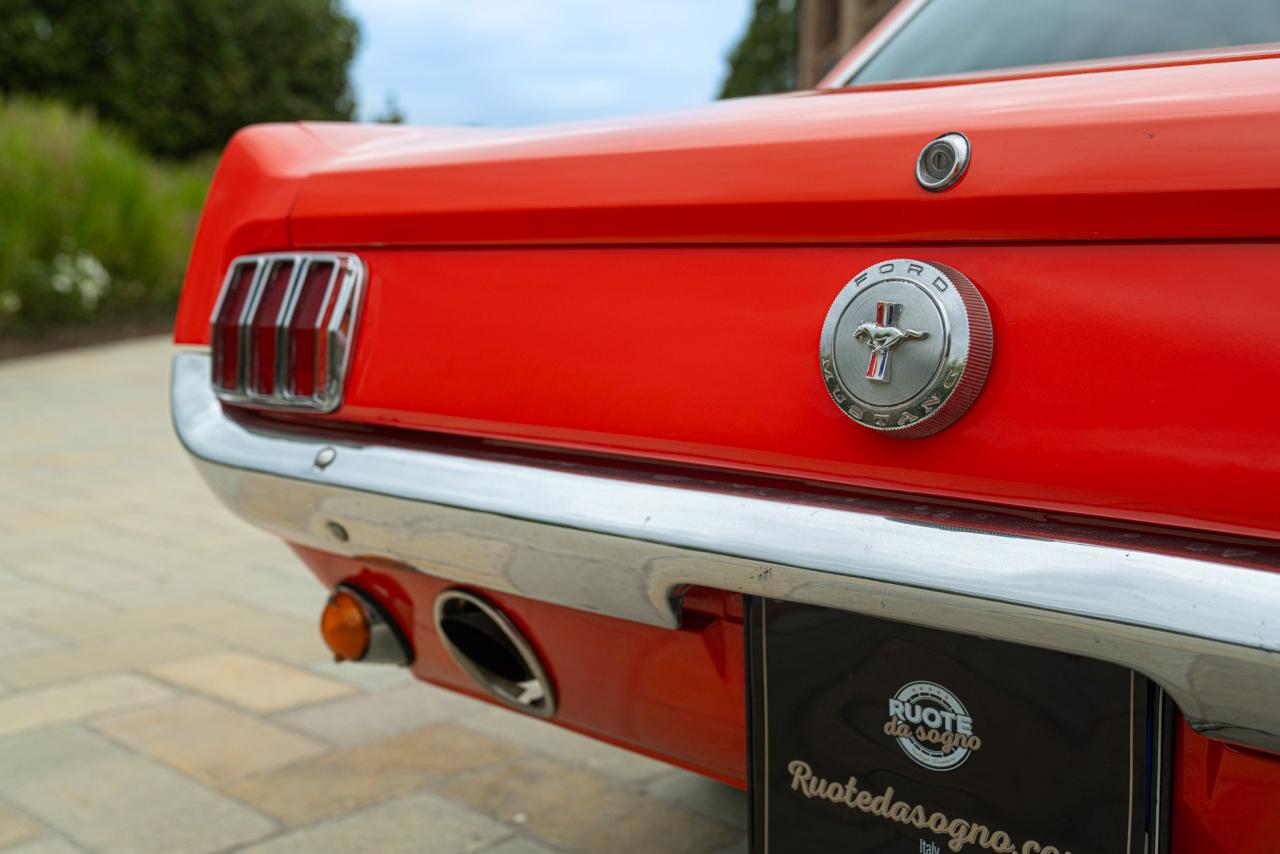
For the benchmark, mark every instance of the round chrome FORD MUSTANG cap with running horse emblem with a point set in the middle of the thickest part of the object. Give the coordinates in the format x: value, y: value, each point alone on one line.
x: 906, y: 348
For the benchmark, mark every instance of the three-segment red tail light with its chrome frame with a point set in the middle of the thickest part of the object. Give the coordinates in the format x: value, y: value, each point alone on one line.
x: 284, y: 327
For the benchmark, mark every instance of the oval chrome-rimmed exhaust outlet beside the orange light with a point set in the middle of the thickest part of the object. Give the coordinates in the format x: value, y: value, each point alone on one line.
x: 493, y: 652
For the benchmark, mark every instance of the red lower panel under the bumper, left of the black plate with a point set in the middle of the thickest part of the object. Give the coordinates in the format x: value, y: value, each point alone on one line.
x: 616, y: 681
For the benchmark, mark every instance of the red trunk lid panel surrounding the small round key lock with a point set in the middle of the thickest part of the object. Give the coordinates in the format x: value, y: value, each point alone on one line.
x: 1172, y: 153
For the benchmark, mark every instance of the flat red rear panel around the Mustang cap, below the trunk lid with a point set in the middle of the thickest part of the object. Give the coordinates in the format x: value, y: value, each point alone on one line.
x: 1128, y: 382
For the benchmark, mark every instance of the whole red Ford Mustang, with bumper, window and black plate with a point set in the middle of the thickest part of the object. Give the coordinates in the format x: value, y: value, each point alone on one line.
x: 903, y: 451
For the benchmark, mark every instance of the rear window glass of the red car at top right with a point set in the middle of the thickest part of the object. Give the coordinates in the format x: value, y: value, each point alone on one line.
x: 964, y: 36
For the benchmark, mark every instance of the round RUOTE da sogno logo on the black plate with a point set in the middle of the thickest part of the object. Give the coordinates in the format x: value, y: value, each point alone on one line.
x: 932, y: 727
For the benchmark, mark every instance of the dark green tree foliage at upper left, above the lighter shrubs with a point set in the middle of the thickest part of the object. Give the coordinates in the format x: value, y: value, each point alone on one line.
x: 181, y: 76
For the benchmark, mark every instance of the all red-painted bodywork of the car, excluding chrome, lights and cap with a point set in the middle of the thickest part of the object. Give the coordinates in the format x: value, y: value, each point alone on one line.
x: 646, y: 296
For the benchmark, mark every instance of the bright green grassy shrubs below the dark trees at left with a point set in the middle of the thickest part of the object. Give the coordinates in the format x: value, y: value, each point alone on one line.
x: 92, y: 229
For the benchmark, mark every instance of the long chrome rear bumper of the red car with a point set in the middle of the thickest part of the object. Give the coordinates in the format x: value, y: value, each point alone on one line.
x: 1203, y: 623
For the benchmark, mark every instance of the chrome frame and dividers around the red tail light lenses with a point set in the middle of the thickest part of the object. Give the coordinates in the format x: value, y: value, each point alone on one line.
x: 339, y: 321
